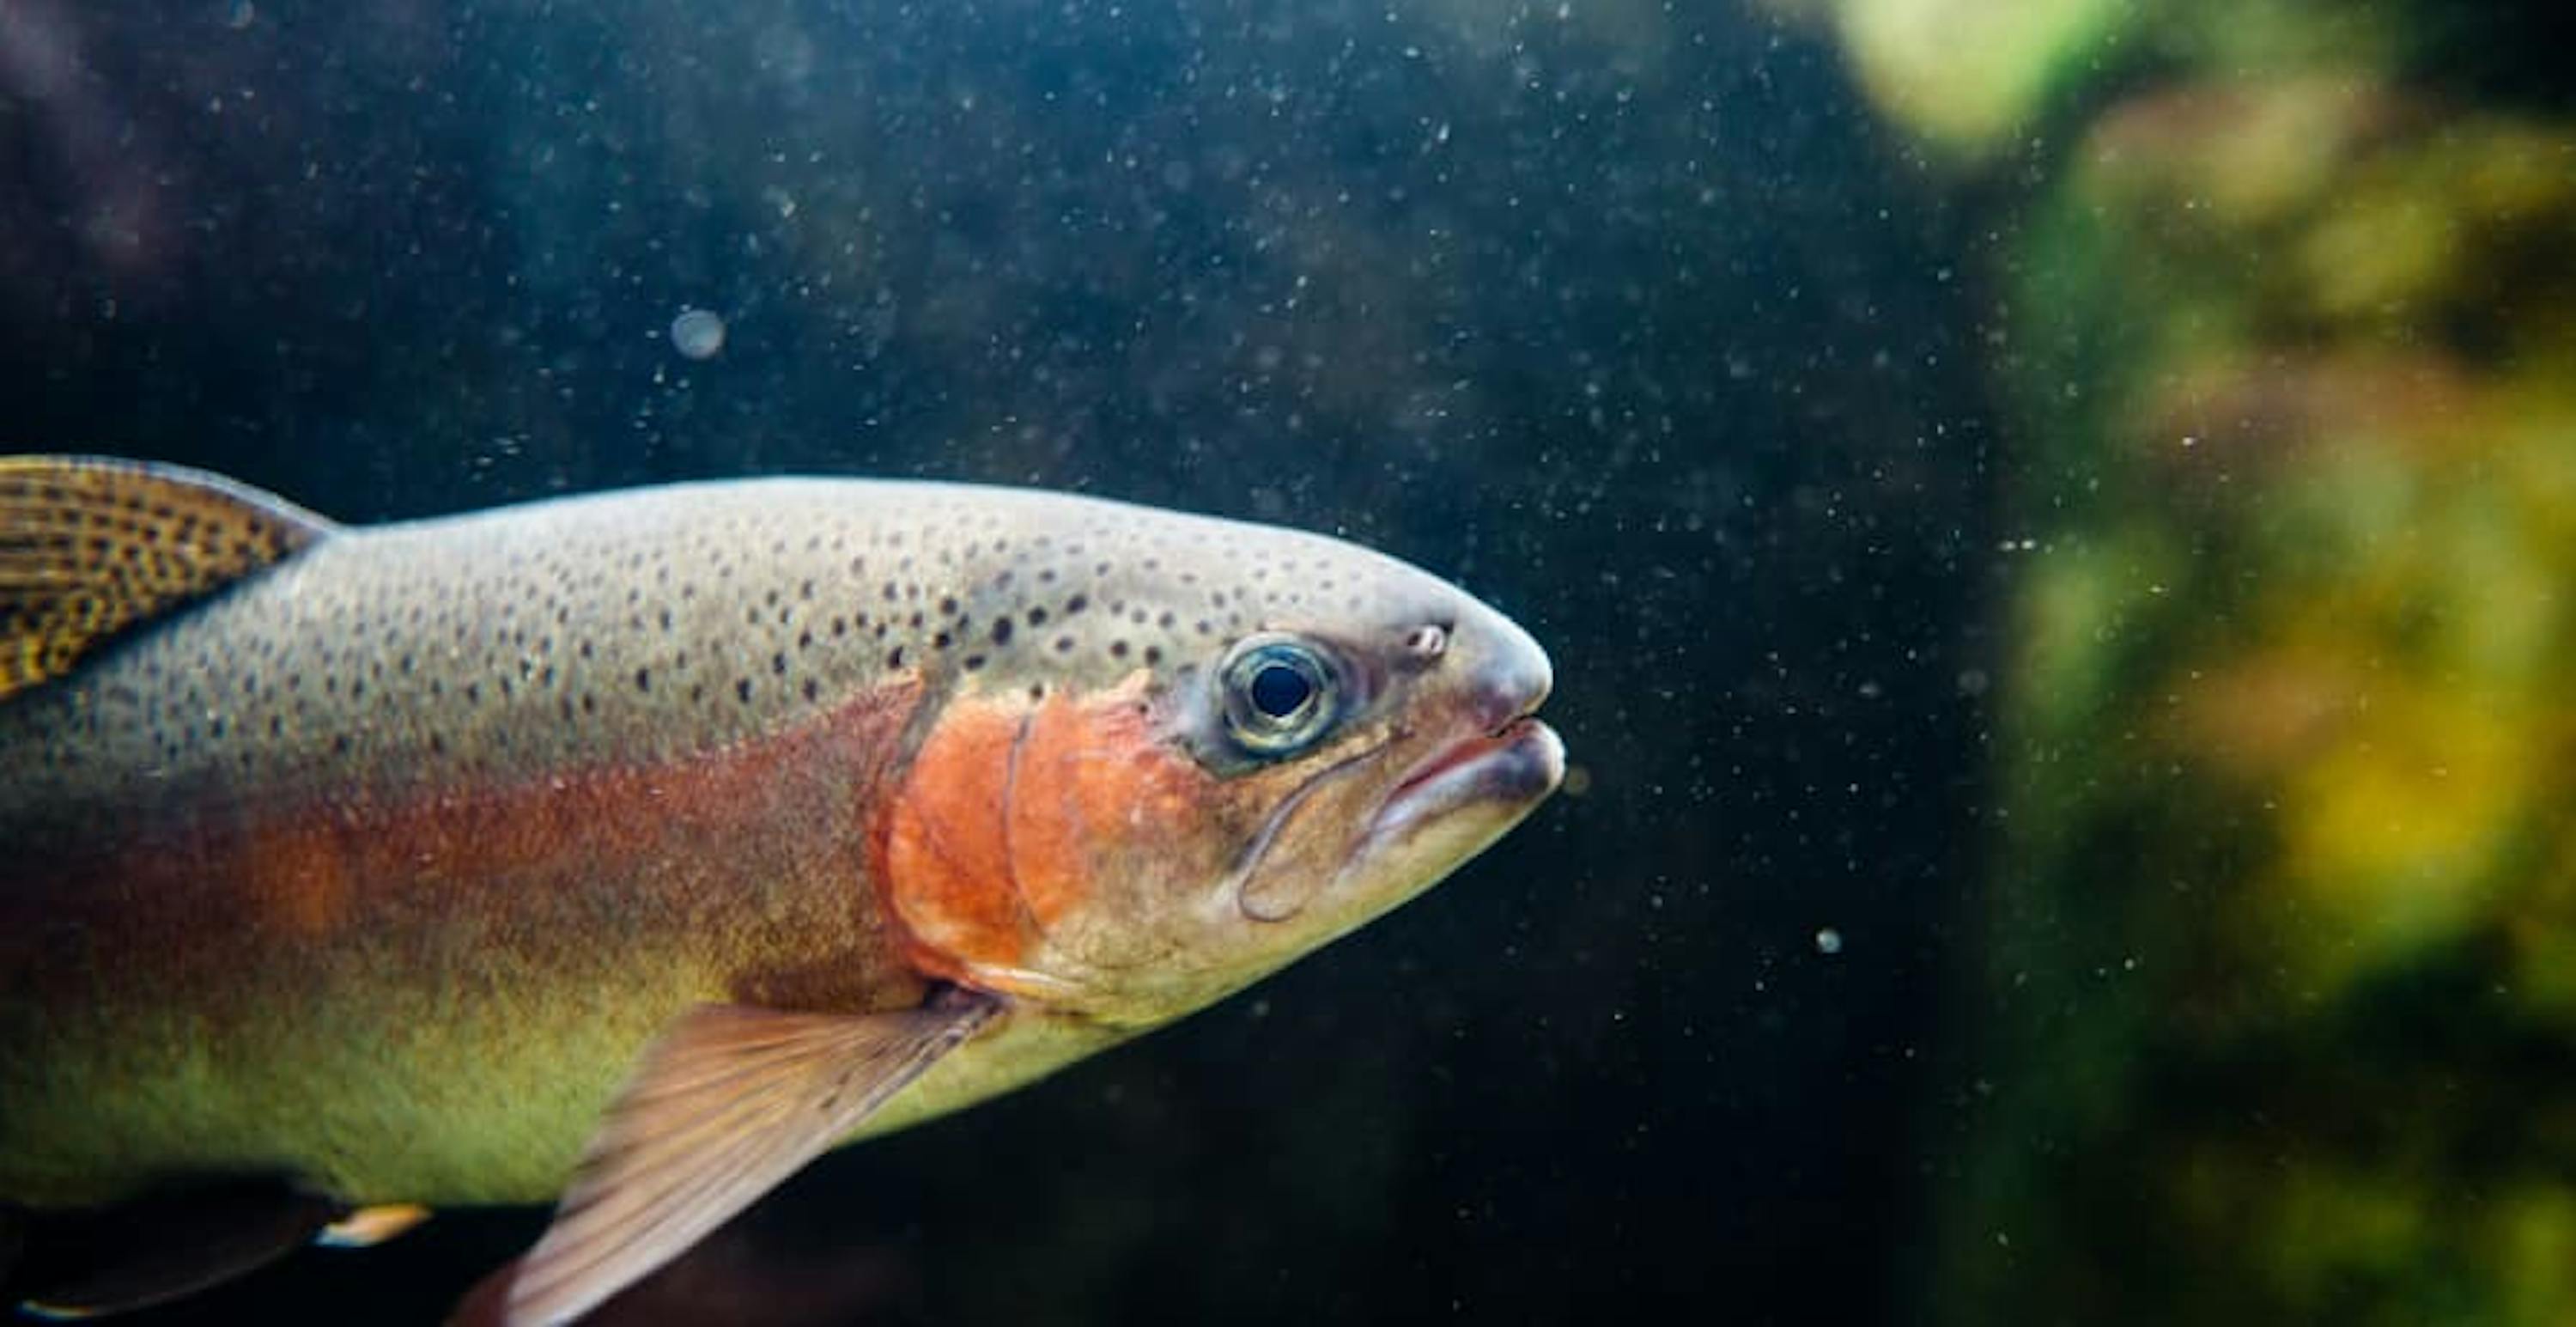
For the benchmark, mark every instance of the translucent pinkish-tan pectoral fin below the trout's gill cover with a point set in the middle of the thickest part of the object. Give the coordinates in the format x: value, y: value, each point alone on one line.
x: 725, y: 1107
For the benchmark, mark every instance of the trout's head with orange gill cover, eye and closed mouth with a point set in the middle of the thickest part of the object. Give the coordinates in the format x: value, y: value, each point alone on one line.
x: 1253, y: 743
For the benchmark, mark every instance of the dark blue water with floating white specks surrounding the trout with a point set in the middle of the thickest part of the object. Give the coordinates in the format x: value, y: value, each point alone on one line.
x: 1619, y: 313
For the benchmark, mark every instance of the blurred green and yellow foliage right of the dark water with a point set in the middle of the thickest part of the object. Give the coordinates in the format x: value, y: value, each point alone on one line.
x: 2278, y: 996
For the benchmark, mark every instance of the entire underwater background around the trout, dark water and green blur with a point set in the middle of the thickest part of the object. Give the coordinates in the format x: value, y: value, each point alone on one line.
x: 2052, y: 522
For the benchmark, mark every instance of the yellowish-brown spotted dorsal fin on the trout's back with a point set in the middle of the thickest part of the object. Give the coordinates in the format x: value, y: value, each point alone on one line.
x: 91, y: 548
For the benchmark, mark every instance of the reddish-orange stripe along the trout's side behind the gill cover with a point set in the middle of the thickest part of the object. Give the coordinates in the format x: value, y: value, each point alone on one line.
x: 746, y: 857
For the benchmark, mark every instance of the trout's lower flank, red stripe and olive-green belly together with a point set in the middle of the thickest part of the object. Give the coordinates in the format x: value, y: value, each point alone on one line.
x: 419, y: 998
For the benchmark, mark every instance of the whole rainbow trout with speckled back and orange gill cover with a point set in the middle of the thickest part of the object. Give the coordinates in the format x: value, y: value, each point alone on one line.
x: 635, y: 849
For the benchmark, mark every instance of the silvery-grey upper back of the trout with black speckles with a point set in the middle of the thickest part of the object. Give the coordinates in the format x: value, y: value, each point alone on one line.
x: 635, y: 625
